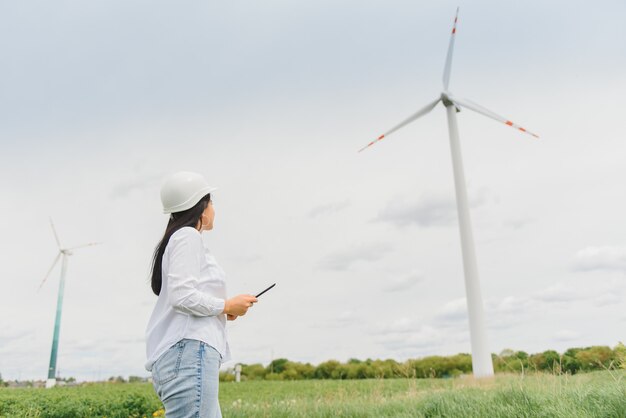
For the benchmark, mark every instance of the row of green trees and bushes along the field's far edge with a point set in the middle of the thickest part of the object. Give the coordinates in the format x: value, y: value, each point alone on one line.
x: 572, y: 361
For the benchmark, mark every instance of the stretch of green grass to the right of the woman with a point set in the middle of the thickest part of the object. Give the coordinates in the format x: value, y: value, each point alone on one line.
x: 586, y: 395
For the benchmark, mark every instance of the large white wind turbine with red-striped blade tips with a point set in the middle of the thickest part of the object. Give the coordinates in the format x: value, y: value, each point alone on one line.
x: 482, y: 364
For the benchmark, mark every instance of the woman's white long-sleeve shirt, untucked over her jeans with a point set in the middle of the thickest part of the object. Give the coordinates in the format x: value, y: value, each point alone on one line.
x: 191, y: 301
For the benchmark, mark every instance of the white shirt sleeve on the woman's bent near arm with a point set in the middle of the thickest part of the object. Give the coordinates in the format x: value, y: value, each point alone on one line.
x: 185, y: 255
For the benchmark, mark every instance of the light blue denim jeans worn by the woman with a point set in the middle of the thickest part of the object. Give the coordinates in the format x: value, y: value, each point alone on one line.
x: 186, y: 378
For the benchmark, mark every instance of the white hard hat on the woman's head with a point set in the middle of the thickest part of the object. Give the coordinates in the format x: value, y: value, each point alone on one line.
x: 182, y: 190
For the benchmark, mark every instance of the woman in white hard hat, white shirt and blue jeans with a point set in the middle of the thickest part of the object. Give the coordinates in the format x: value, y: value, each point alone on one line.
x: 186, y: 335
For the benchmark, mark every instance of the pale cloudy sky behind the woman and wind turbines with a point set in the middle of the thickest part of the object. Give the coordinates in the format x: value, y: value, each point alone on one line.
x: 270, y: 101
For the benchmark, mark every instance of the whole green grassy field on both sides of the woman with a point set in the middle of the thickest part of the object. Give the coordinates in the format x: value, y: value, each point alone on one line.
x: 598, y: 394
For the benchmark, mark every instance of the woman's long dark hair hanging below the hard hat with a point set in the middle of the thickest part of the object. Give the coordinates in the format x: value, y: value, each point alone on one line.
x: 189, y: 217
